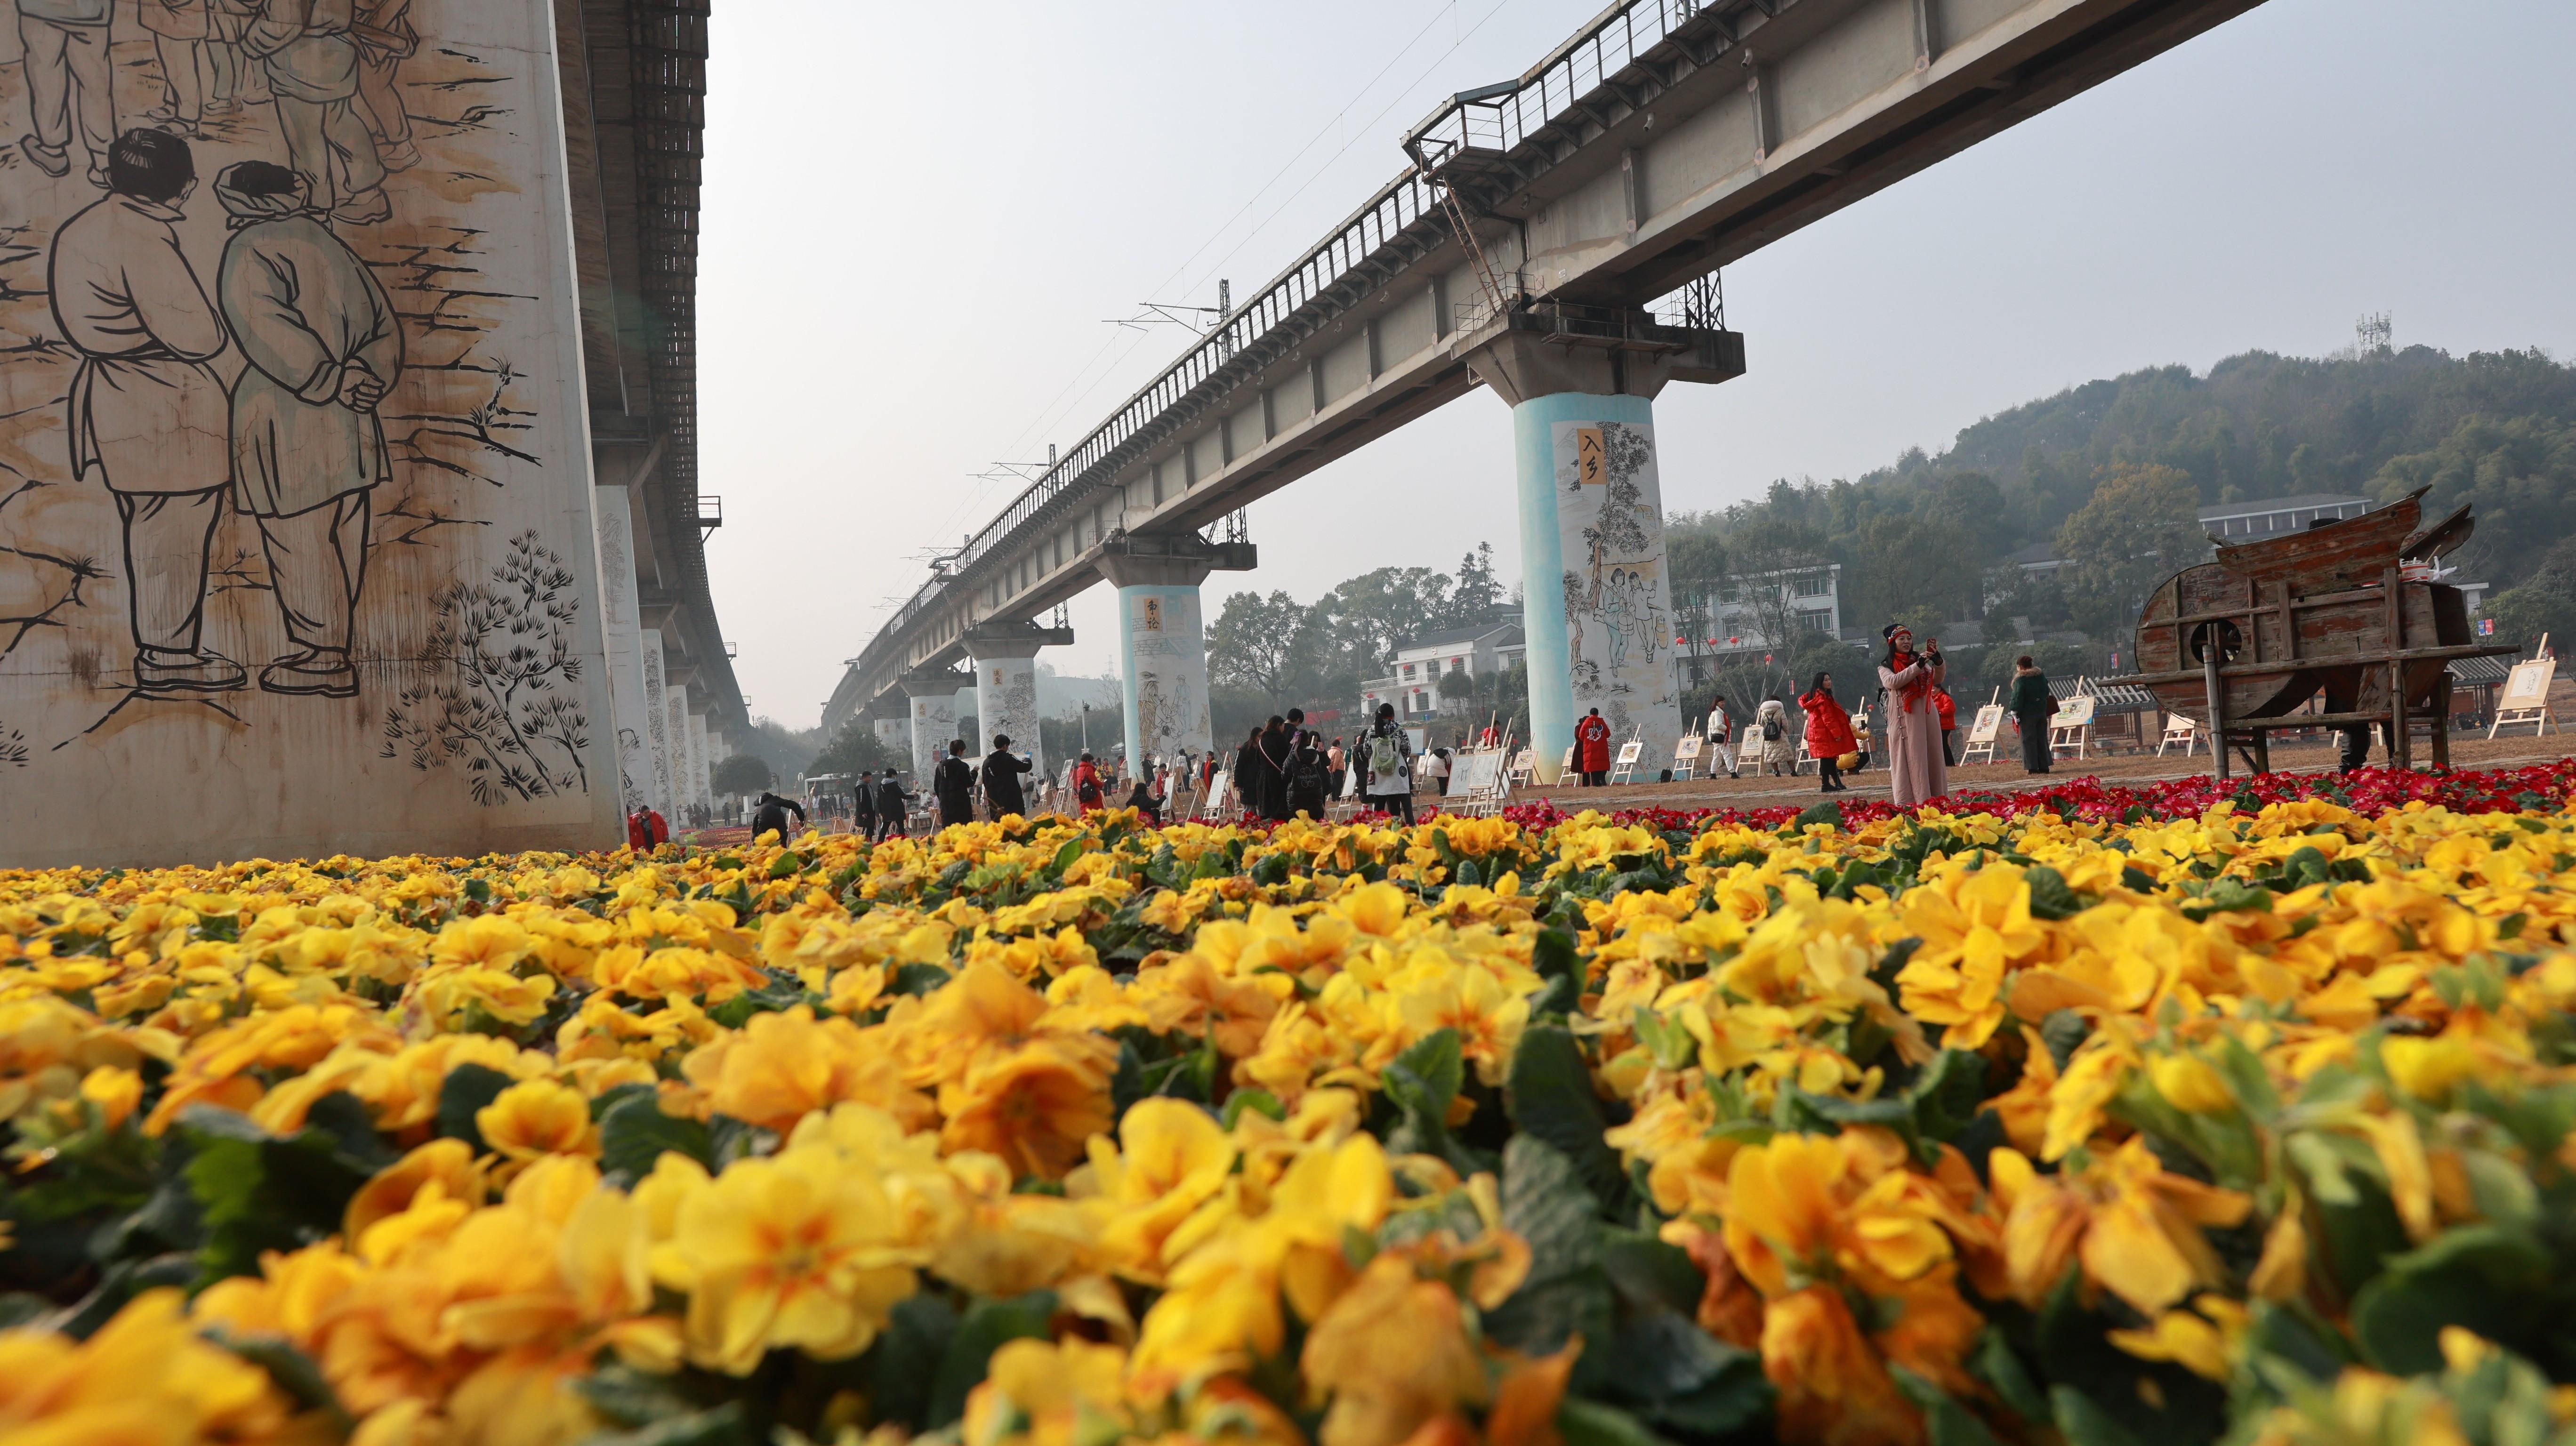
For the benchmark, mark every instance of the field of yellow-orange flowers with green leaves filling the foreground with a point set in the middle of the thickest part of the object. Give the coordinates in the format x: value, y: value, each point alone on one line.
x: 1956, y: 1130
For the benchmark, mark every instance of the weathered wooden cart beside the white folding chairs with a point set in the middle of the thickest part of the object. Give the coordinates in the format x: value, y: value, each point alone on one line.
x: 2268, y: 625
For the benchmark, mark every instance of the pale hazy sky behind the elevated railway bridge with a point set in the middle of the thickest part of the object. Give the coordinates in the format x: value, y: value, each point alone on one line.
x: 918, y: 220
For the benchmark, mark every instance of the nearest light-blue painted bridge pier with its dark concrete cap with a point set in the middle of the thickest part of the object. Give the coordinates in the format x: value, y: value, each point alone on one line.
x: 1596, y: 592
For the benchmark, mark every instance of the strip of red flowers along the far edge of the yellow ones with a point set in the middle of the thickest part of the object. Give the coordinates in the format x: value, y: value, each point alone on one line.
x: 2369, y: 793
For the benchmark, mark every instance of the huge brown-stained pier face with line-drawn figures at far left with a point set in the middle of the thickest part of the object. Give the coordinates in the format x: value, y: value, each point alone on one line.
x: 295, y: 519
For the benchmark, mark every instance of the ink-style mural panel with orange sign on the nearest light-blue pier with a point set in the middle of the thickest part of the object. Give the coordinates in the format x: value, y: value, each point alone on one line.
x: 1619, y: 599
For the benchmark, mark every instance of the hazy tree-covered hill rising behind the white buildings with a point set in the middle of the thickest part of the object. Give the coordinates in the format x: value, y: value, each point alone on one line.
x: 1936, y: 532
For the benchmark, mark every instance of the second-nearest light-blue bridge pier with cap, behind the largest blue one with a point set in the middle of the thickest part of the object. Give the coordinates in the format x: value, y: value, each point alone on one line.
x: 1163, y: 641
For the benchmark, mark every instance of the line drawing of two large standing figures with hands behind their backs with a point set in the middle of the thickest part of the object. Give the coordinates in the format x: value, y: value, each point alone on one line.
x: 295, y: 442
